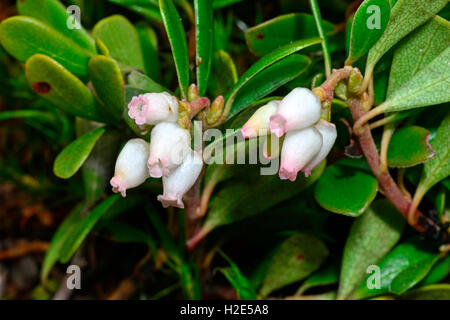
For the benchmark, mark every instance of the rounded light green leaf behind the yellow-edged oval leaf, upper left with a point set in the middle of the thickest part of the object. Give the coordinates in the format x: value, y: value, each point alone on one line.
x: 121, y: 39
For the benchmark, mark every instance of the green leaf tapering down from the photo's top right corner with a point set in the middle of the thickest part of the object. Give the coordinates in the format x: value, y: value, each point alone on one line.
x: 406, y: 16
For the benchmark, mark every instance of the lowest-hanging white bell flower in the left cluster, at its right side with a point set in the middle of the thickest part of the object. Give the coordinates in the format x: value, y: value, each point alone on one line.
x: 181, y: 180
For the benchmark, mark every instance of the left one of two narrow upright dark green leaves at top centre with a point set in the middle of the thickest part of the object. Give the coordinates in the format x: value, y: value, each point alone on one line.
x: 177, y: 39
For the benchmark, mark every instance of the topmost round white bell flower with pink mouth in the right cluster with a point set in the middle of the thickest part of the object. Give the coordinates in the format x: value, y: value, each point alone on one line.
x: 298, y: 110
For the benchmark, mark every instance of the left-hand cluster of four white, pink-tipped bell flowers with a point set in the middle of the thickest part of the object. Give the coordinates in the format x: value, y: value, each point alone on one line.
x: 168, y: 155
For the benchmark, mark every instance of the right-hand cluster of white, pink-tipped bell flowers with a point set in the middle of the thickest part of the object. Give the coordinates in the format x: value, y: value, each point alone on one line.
x: 307, y: 139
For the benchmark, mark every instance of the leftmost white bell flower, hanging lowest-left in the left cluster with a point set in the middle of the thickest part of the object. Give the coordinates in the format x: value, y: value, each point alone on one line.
x: 131, y: 166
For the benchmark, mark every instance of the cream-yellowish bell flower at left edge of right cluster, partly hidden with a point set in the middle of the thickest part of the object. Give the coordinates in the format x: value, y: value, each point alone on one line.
x: 258, y: 124
